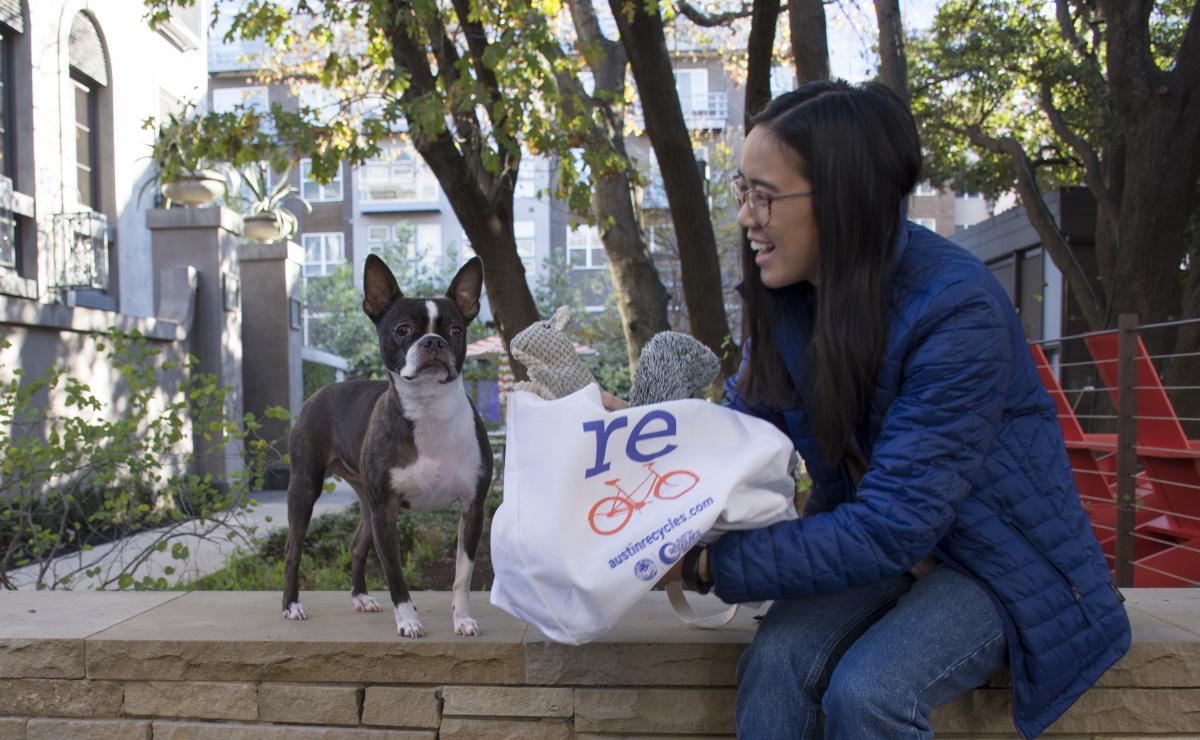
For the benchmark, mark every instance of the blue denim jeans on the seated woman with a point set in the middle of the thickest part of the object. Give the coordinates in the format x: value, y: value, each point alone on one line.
x: 875, y: 660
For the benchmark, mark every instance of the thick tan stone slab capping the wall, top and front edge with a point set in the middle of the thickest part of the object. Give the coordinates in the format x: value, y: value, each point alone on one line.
x: 242, y: 636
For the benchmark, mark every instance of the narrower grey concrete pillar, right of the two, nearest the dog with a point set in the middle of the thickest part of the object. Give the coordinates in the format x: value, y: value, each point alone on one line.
x: 272, y: 332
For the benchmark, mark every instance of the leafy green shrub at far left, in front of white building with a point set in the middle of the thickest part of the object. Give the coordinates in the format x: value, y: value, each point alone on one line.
x: 75, y: 476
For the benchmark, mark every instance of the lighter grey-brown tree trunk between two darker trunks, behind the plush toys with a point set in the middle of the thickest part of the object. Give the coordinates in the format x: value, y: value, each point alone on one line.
x: 641, y: 298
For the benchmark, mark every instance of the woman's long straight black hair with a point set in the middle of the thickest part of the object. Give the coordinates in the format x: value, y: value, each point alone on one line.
x: 860, y: 149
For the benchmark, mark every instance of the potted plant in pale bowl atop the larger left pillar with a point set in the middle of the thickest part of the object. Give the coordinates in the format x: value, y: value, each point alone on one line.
x: 178, y: 153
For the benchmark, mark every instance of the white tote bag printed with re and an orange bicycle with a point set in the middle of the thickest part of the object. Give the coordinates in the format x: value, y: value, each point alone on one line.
x: 599, y: 504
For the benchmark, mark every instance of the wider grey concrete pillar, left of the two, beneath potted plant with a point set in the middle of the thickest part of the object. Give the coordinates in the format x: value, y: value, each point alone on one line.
x: 207, y: 240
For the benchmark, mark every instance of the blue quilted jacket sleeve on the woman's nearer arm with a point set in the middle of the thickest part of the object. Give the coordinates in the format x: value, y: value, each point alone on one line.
x: 935, y: 435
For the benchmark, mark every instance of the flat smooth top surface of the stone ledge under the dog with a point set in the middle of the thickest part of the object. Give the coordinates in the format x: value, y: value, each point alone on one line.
x: 1159, y: 616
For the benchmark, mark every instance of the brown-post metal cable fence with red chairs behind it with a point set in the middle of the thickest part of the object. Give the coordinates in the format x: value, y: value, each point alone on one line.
x: 1135, y: 455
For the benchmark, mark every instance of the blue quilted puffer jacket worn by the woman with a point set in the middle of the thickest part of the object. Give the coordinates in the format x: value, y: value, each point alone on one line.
x: 967, y: 462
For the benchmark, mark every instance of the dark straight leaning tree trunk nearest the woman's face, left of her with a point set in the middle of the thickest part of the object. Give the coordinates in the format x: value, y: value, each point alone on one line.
x: 643, y: 37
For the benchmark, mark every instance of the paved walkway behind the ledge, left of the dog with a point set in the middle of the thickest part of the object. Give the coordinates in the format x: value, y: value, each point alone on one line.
x: 209, y: 546
